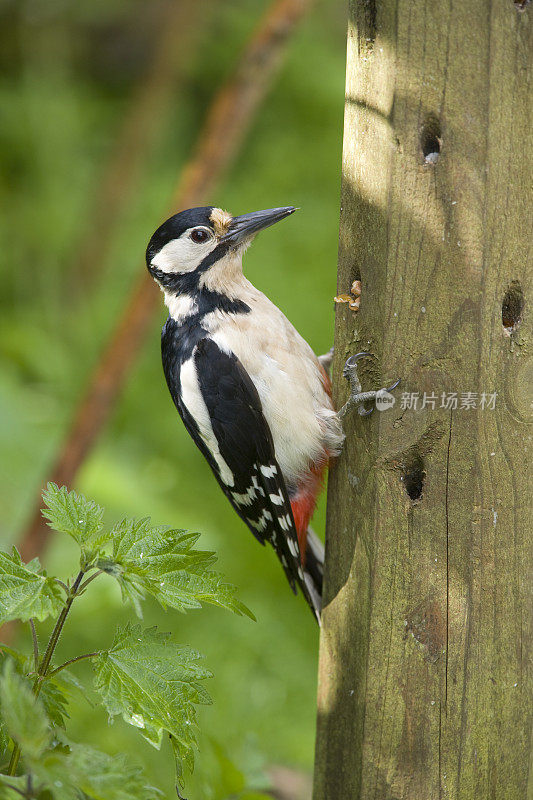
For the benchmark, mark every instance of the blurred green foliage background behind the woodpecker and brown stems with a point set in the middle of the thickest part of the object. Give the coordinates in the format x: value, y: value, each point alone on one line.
x: 68, y: 74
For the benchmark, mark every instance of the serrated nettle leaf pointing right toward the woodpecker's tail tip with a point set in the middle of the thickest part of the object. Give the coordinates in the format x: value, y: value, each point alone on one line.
x: 163, y: 562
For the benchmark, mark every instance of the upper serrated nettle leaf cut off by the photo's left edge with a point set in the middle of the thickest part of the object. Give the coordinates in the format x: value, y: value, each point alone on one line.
x: 24, y: 593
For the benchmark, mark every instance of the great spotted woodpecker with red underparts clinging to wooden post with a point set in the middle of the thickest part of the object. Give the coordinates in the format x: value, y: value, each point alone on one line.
x: 249, y: 389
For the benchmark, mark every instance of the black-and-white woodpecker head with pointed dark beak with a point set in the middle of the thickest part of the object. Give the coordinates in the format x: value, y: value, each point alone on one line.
x: 195, y: 248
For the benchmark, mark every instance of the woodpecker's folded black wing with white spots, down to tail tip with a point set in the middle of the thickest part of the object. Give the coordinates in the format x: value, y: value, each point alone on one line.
x: 257, y: 491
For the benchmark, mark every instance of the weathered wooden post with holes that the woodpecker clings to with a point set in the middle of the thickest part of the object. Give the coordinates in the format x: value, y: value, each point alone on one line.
x: 425, y: 663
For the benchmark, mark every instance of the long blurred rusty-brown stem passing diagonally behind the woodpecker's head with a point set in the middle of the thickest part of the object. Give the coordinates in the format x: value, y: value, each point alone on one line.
x: 226, y: 125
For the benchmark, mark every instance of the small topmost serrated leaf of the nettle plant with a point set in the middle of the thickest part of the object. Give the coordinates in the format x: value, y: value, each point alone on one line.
x: 72, y: 513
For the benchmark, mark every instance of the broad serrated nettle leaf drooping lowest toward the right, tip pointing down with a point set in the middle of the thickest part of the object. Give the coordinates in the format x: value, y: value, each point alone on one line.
x: 153, y: 684
